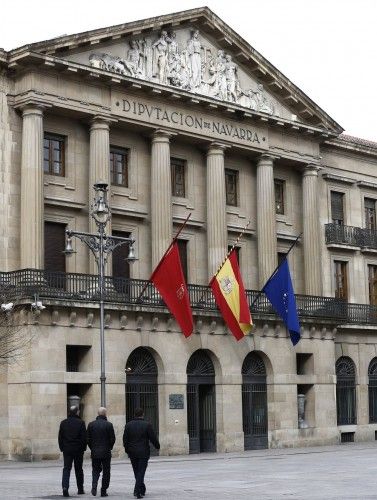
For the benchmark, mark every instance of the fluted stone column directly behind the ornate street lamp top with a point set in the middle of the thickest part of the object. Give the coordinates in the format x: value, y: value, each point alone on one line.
x: 99, y: 170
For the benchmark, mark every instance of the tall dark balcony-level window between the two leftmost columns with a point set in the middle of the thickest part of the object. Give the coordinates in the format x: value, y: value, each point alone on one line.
x: 54, y: 247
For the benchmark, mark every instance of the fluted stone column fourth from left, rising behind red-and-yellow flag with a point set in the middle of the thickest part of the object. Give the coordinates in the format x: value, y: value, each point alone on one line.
x: 217, y: 235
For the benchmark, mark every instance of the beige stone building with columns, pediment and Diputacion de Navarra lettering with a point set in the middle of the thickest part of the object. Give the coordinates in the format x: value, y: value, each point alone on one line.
x: 179, y: 114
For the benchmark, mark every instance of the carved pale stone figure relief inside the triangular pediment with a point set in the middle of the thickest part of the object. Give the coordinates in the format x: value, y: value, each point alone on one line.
x: 192, y: 66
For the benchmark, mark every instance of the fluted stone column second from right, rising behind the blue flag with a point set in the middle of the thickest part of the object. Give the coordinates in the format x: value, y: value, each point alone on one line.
x: 266, y: 218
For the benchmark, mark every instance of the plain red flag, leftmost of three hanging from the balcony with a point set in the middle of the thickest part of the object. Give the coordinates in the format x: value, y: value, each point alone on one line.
x: 169, y: 280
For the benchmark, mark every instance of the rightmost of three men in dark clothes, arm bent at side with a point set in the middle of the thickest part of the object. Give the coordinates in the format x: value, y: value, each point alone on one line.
x: 136, y: 437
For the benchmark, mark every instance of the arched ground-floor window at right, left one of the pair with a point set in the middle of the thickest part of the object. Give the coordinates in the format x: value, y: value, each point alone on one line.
x: 345, y: 391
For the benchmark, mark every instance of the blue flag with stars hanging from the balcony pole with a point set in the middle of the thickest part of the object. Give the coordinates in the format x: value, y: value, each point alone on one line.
x: 279, y: 291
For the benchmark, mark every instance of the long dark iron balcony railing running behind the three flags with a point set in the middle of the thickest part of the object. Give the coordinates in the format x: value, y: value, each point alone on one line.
x: 74, y: 287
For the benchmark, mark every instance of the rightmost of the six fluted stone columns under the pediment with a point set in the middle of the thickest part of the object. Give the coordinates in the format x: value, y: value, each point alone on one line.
x: 311, y: 237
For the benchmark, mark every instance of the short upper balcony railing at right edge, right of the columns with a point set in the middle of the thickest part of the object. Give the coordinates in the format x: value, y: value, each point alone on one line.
x: 350, y: 235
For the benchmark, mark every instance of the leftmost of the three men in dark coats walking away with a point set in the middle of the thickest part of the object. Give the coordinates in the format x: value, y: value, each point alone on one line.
x: 72, y: 442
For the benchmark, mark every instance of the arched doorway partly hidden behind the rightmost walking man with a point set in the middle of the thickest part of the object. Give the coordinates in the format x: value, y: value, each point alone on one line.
x: 141, y: 386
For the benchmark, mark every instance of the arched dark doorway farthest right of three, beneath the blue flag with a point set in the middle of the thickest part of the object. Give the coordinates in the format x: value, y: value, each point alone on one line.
x: 254, y: 402
